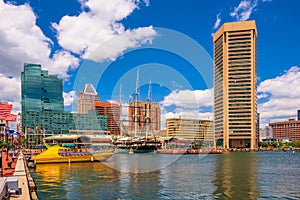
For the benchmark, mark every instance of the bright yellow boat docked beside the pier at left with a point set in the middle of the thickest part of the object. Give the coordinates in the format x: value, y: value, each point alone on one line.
x: 58, y: 154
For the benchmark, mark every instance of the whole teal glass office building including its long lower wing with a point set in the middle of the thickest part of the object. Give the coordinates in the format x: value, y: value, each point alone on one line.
x: 43, y: 106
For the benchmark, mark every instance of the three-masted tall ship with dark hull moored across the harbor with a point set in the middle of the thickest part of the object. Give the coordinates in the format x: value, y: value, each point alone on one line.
x: 141, y: 137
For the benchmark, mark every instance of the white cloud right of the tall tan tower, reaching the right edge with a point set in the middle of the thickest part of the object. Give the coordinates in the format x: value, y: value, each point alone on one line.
x: 283, y: 97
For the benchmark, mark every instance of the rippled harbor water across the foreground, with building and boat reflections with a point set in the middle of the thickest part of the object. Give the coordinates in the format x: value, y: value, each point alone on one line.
x: 232, y: 175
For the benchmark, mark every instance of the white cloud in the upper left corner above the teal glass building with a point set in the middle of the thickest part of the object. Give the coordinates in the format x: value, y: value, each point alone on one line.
x: 21, y: 40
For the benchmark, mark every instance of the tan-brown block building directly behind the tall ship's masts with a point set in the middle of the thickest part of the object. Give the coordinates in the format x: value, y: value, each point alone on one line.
x: 138, y: 115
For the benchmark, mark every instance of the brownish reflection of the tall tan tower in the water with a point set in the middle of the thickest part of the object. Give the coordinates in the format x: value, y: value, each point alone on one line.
x: 236, y: 176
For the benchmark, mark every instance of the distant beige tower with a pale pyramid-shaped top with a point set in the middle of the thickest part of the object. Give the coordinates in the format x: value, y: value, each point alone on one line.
x: 87, y: 98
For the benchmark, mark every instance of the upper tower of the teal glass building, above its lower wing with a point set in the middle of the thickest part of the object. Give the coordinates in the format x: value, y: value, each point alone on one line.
x: 40, y: 92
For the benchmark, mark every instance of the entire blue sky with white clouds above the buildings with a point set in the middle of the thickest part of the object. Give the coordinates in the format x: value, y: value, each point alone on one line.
x: 105, y: 42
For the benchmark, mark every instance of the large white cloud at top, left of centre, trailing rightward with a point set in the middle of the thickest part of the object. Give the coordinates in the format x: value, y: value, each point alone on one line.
x: 99, y: 23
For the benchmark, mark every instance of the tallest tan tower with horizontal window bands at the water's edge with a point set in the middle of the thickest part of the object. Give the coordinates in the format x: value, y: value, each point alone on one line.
x: 235, y: 101
